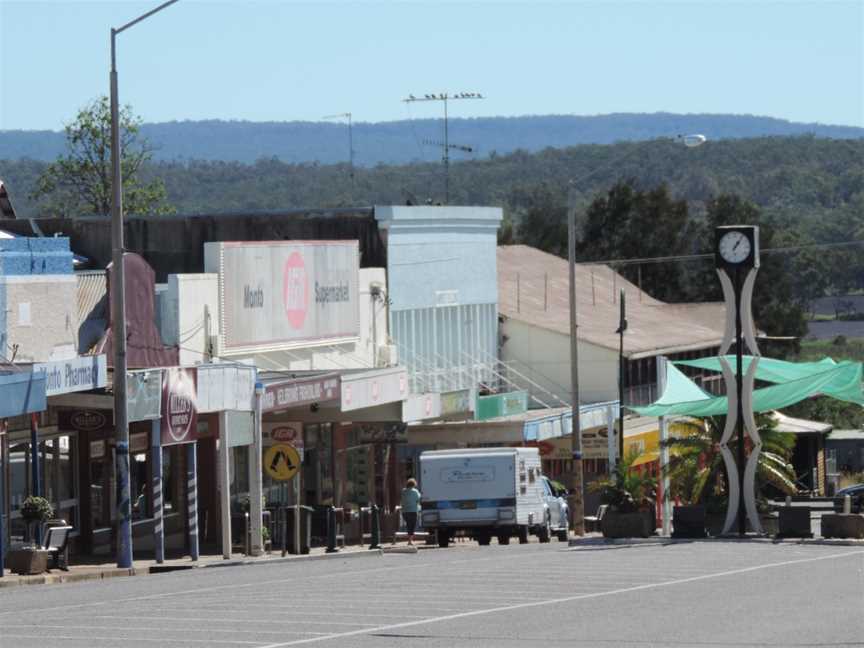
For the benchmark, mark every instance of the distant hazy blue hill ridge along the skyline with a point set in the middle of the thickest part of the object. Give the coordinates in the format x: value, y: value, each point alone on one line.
x: 401, y: 142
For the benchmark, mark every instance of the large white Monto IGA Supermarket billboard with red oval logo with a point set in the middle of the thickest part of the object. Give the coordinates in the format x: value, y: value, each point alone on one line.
x: 279, y: 293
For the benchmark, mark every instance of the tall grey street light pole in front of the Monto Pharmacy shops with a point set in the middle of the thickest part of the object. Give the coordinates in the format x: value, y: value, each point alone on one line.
x: 118, y: 315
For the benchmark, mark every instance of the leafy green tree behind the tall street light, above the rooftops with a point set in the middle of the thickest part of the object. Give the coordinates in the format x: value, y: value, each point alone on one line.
x: 79, y: 182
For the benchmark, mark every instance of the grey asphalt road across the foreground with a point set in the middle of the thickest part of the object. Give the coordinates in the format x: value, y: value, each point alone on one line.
x: 698, y: 594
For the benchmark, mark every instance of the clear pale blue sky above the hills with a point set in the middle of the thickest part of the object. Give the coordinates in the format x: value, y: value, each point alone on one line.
x: 280, y: 60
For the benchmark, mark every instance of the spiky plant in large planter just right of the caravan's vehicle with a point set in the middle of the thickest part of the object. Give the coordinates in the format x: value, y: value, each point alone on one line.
x: 630, y: 497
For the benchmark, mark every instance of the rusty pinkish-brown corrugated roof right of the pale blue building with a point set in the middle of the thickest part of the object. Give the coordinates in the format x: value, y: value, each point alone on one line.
x: 654, y: 327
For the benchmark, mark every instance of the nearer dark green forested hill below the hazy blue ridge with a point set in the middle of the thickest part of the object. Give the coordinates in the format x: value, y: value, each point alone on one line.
x: 803, y: 180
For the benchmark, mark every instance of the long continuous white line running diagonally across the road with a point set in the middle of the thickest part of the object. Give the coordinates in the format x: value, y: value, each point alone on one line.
x: 567, y: 599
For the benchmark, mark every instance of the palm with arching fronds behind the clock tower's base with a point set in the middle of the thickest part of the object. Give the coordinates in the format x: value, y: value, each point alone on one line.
x: 696, y: 471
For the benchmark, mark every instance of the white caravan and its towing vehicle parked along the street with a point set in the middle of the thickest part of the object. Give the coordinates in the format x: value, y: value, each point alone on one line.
x: 487, y: 492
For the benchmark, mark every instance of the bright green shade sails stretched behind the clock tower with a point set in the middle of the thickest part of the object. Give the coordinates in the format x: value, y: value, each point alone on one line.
x: 793, y: 383
